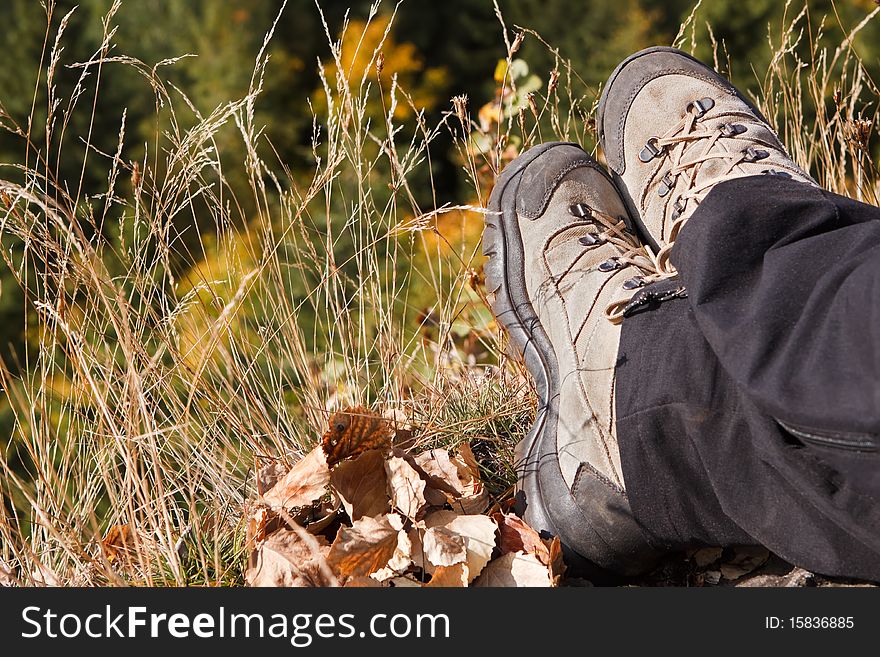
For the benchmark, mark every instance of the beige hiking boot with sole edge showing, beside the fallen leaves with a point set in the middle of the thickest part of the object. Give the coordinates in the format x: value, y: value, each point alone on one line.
x: 562, y: 267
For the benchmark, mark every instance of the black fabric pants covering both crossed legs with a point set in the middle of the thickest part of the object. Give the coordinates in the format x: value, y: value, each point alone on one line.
x: 749, y: 411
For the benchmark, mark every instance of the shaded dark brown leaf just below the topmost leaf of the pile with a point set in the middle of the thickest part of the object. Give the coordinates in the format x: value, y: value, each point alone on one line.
x: 362, y: 485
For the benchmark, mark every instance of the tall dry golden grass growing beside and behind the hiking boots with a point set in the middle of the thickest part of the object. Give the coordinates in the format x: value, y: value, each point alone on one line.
x: 153, y: 390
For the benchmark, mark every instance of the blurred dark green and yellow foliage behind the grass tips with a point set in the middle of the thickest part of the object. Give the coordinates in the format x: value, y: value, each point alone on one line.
x: 450, y: 48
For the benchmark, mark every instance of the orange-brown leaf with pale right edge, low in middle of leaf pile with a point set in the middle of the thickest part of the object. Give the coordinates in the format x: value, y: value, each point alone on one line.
x: 367, y: 546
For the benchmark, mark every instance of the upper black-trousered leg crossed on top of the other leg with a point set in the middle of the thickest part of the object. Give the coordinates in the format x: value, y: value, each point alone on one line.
x: 784, y: 280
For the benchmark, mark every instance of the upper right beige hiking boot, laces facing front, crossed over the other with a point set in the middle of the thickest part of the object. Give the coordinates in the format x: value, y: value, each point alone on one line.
x: 671, y: 129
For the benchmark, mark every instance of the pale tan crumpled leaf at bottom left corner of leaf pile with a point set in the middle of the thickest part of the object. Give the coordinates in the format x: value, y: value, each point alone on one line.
x: 284, y: 559
